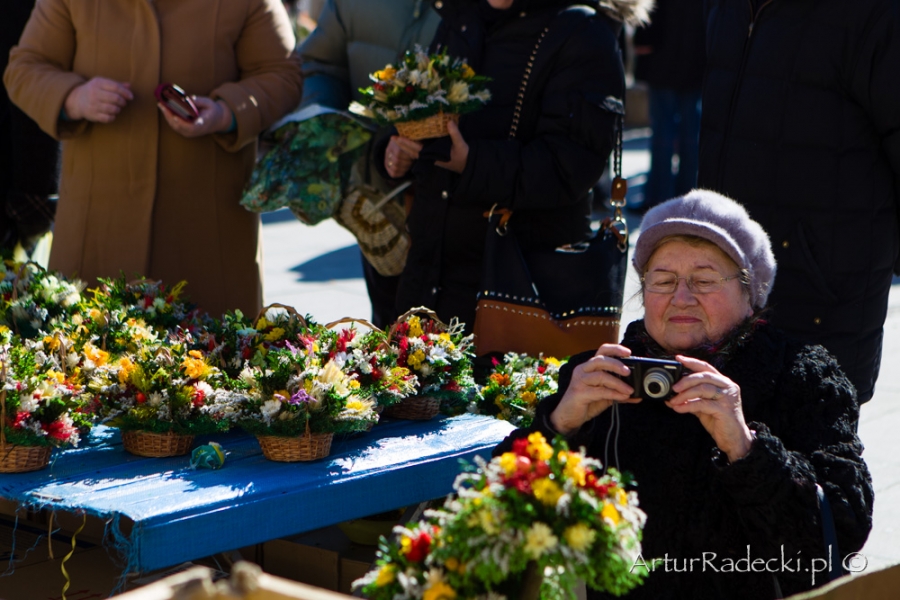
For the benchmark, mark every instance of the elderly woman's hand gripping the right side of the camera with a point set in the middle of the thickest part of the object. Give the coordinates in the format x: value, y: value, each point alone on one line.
x: 716, y: 400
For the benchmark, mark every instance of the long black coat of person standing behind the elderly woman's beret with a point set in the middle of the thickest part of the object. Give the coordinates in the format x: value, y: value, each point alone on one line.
x: 801, y: 124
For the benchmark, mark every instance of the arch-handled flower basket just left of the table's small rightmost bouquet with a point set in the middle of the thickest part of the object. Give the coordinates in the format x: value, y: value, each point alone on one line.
x: 439, y: 355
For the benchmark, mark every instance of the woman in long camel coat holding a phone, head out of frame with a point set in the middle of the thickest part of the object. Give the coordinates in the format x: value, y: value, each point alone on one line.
x: 141, y: 191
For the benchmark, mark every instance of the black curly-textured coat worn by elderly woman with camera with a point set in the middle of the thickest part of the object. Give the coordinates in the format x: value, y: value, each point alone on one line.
x: 802, y: 408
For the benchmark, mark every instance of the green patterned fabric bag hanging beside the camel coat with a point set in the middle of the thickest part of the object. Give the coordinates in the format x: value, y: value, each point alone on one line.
x: 307, y: 170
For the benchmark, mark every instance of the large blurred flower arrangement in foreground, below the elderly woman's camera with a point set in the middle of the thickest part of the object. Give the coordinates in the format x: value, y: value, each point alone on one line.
x: 529, y: 524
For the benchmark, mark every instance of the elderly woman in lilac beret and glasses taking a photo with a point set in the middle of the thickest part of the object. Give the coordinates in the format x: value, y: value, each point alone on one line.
x: 728, y: 465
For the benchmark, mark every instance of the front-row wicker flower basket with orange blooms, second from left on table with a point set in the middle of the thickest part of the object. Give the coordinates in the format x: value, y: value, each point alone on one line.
x: 160, y: 395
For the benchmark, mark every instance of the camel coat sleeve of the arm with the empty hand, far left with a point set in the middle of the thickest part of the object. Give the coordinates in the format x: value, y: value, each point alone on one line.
x: 39, y: 78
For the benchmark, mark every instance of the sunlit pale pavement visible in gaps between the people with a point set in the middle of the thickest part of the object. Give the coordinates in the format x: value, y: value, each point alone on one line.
x: 317, y: 271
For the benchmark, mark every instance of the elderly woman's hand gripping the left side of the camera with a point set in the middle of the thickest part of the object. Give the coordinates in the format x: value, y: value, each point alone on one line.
x: 593, y: 389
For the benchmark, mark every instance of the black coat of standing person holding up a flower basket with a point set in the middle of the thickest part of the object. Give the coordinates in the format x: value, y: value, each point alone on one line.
x: 545, y: 175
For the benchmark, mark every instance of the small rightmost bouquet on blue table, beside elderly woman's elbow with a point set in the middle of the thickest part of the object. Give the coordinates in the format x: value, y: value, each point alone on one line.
x: 516, y: 385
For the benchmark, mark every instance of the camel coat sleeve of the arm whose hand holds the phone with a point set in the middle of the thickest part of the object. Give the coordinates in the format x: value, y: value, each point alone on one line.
x: 270, y: 83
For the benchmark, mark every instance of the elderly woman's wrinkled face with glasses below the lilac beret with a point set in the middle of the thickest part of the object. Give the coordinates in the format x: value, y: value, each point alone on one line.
x: 684, y: 319
